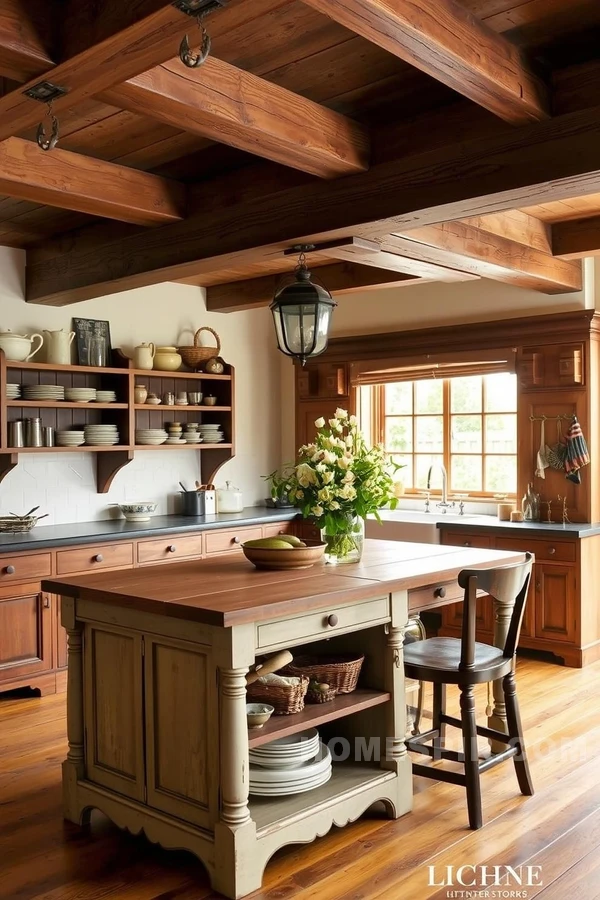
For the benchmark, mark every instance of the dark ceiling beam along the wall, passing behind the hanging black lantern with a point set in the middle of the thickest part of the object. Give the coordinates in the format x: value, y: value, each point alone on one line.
x: 339, y: 278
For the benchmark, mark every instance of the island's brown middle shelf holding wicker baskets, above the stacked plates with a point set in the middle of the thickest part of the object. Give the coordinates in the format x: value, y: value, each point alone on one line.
x: 315, y: 714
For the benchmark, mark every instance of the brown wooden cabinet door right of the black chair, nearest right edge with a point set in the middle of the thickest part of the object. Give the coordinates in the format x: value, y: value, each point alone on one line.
x: 555, y: 603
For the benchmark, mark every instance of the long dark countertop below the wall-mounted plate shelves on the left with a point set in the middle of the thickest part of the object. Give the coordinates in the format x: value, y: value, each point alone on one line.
x: 48, y: 536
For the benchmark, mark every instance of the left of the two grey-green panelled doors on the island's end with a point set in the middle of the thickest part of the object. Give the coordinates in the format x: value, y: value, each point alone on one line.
x: 114, y: 740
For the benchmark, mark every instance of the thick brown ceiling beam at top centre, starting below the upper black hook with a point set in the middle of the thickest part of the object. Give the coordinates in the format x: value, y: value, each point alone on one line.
x: 226, y: 104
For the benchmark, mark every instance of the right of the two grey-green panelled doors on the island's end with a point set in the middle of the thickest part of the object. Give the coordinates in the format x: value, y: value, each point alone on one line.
x: 182, y: 730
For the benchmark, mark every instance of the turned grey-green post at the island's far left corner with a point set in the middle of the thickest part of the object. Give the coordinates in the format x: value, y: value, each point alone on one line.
x: 73, y: 768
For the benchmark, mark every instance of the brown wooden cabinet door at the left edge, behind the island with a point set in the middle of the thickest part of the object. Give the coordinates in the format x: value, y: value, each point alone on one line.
x: 25, y: 632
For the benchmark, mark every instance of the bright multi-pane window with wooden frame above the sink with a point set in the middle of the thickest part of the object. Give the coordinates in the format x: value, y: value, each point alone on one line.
x: 469, y: 424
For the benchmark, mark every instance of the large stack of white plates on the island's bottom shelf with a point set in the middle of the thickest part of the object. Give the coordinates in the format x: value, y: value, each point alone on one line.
x: 289, y: 765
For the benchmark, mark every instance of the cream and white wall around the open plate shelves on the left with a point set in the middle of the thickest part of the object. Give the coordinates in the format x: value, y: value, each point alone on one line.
x: 63, y: 484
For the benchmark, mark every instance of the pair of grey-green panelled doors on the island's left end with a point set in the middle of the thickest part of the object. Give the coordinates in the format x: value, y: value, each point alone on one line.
x: 146, y: 689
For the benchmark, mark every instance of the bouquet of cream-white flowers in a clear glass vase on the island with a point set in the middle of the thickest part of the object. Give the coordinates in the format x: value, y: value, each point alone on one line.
x: 339, y: 479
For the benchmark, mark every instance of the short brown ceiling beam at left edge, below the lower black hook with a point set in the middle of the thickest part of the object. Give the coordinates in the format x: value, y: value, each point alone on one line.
x: 71, y: 181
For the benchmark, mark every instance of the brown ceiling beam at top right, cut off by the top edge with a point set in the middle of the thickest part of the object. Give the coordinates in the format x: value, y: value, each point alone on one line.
x: 448, y: 43
